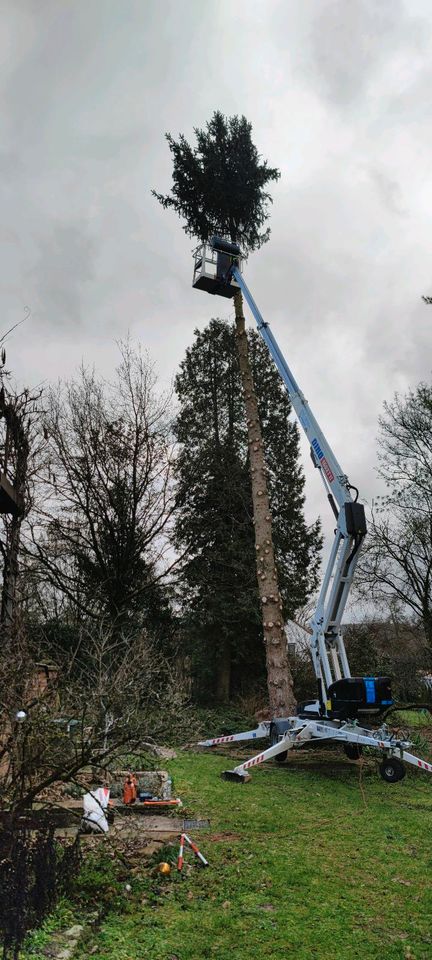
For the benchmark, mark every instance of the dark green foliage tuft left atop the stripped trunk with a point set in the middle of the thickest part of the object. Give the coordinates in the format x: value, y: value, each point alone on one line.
x: 219, y: 184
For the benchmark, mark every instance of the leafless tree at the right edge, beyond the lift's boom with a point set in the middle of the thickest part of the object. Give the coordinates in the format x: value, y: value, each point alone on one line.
x: 397, y: 564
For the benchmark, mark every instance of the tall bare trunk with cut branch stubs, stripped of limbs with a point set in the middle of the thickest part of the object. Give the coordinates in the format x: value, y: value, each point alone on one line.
x: 279, y: 679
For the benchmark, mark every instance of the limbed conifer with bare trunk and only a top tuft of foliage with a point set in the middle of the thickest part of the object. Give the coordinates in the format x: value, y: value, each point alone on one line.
x: 219, y: 186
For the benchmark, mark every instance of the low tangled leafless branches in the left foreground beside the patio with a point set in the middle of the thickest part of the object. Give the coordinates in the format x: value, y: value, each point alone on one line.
x: 109, y: 695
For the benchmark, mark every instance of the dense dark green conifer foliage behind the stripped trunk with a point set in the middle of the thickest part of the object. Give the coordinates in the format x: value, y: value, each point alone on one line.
x: 214, y: 506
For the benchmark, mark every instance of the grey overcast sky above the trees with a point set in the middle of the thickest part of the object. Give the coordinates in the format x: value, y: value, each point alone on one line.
x: 339, y: 95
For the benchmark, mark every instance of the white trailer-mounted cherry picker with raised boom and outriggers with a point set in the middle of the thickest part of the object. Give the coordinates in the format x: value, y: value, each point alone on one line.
x: 345, y: 705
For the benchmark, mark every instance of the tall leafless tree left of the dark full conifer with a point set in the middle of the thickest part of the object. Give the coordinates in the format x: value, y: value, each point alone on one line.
x: 101, y: 534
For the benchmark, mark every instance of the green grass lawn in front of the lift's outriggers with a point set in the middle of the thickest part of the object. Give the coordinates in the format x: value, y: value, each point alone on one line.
x: 309, y: 860
